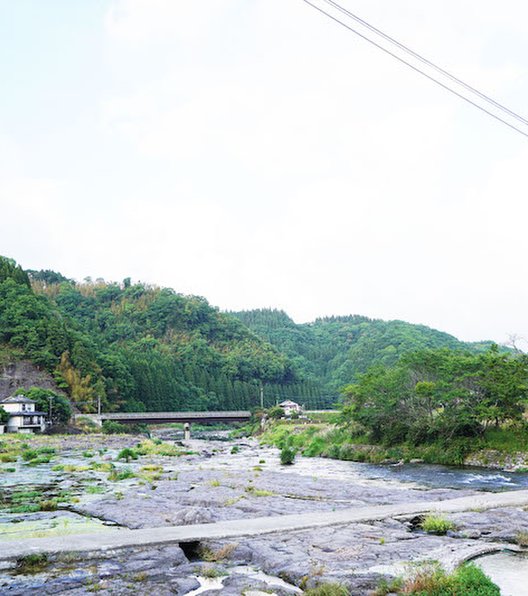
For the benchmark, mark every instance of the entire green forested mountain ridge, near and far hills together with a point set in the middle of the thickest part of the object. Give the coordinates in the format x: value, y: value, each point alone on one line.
x: 137, y: 347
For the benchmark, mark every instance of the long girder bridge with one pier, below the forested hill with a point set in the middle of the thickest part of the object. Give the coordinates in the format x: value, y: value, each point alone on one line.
x: 168, y: 417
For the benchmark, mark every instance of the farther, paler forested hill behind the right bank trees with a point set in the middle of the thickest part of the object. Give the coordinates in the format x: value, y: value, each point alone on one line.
x: 334, y: 349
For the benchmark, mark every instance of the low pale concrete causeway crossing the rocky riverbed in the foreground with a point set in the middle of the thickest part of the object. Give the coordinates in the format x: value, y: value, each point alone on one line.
x: 115, y: 539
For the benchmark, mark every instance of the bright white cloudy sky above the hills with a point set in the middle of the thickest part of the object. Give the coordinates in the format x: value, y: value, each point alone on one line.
x: 256, y: 153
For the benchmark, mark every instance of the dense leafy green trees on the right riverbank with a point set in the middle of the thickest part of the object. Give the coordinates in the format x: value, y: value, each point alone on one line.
x: 439, y: 395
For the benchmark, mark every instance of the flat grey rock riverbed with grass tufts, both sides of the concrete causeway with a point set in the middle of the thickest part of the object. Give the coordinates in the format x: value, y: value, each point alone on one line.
x: 84, y: 487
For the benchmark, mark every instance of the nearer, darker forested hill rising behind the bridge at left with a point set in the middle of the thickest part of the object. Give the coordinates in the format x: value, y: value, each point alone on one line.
x: 136, y: 347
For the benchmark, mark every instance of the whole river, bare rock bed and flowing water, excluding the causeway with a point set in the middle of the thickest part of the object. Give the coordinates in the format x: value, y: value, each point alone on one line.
x: 218, y: 482
